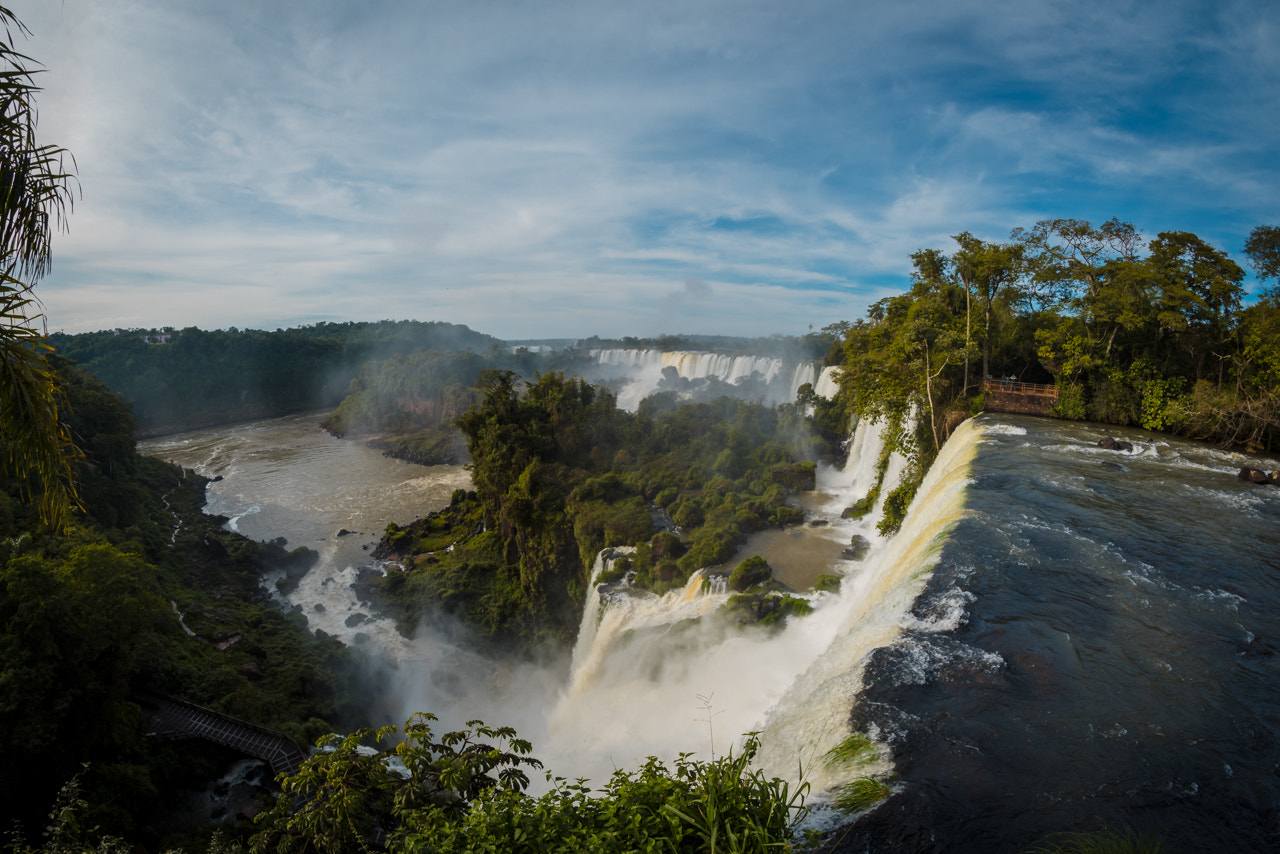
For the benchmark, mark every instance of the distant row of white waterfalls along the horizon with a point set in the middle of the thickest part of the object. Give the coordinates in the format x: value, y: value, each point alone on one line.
x: 769, y: 378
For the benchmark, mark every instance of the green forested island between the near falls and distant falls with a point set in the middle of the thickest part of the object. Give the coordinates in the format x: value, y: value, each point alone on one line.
x: 561, y: 473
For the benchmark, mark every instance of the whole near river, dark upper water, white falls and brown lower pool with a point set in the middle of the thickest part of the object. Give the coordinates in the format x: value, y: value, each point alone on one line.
x: 1060, y: 638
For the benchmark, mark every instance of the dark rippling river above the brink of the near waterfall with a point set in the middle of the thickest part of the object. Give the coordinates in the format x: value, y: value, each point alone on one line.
x: 1114, y: 655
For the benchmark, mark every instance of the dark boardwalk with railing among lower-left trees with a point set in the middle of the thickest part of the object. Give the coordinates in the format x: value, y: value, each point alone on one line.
x: 168, y: 719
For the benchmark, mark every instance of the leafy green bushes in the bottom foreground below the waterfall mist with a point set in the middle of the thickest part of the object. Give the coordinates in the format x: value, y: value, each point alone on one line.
x: 465, y: 793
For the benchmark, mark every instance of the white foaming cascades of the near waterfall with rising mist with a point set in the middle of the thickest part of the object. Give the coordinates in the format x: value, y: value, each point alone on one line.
x: 659, y: 675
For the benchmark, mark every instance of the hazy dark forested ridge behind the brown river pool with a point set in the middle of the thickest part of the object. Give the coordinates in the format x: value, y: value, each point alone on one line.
x: 177, y: 380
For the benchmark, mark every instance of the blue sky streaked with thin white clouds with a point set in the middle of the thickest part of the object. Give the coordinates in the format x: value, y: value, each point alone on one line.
x: 551, y: 170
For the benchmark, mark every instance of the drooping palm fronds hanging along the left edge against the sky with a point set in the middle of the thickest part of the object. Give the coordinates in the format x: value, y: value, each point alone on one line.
x: 35, y: 197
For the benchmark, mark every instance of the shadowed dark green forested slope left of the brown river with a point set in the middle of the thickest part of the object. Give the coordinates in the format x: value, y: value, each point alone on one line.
x: 143, y: 592
